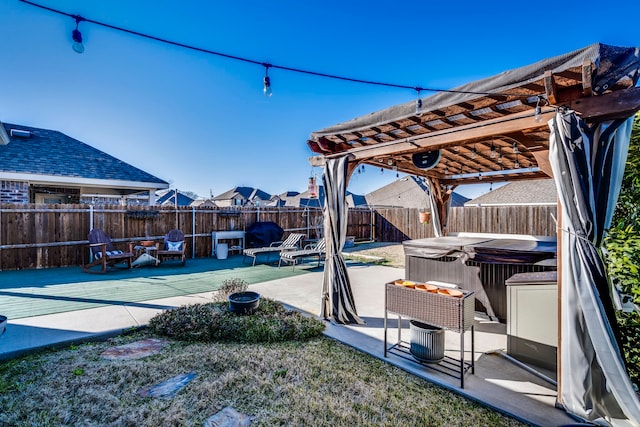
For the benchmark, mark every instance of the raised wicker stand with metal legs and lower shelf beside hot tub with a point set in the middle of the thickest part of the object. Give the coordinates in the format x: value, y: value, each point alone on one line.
x: 442, y: 311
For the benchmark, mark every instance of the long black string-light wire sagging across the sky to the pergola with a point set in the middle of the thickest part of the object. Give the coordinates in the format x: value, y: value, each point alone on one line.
x: 267, y: 65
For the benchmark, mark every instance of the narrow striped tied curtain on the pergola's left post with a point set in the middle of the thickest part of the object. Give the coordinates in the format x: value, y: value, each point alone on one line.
x: 337, y: 297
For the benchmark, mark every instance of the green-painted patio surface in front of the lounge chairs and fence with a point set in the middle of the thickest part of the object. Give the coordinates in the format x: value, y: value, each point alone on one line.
x: 29, y: 293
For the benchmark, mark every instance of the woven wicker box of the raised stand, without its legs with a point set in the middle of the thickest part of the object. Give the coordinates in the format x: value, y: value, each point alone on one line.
x: 435, y: 309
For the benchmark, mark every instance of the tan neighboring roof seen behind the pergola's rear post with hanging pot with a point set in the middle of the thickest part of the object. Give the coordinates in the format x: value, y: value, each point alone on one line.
x: 407, y: 192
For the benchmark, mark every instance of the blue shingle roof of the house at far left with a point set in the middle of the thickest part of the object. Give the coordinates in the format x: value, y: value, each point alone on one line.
x: 49, y: 152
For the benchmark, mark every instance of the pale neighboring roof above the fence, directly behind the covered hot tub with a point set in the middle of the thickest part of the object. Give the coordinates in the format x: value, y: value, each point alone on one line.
x: 540, y: 192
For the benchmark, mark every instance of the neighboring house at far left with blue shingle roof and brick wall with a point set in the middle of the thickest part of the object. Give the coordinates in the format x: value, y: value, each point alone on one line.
x: 47, y: 166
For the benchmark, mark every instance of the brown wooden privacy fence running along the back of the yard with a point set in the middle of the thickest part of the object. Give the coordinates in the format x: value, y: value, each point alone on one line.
x: 43, y: 236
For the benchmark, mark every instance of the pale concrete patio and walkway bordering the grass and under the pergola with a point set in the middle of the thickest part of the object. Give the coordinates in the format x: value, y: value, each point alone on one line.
x: 497, y: 382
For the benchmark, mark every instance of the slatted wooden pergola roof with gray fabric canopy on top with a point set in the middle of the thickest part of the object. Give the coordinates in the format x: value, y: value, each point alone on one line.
x: 506, y: 111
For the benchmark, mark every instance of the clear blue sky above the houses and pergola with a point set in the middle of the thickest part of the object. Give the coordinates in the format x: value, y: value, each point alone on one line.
x: 202, y: 123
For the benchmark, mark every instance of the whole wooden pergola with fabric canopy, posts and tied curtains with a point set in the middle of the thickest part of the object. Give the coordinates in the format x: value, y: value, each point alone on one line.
x: 499, y: 129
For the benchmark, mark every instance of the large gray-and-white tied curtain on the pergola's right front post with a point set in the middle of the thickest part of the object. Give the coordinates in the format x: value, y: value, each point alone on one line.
x: 588, y: 164
